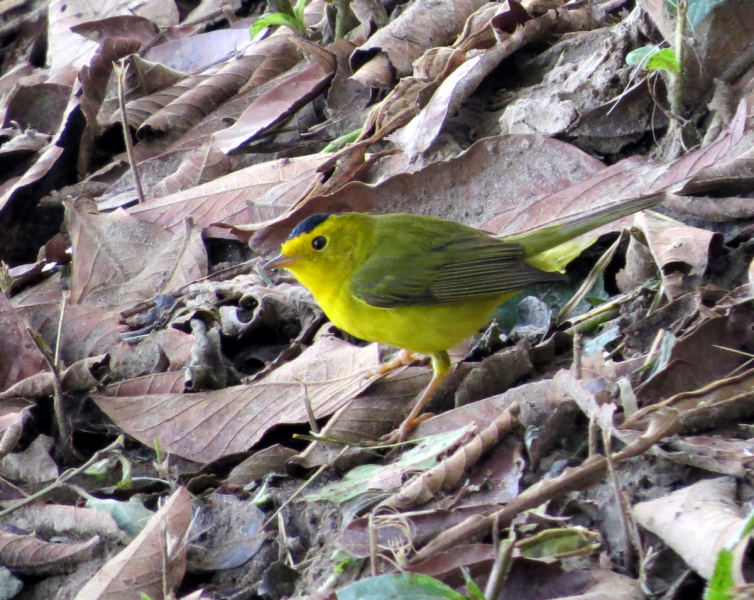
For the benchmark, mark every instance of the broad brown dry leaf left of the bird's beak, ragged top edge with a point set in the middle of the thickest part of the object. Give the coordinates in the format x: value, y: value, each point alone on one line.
x: 120, y: 261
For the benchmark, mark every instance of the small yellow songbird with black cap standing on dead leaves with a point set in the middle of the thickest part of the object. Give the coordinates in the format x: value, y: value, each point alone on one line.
x: 424, y: 284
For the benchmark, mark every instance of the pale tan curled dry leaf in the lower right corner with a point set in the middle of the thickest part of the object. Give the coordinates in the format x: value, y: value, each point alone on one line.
x: 696, y: 521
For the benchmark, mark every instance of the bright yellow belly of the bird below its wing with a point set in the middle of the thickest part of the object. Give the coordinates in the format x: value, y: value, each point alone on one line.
x: 426, y: 329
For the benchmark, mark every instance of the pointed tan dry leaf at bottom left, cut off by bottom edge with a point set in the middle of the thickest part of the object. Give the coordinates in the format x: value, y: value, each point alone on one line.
x: 153, y: 561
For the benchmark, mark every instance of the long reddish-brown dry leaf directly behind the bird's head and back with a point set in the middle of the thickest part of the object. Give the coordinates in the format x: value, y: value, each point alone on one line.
x: 497, y: 175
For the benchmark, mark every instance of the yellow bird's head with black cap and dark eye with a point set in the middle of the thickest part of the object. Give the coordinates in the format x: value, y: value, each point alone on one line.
x: 318, y: 245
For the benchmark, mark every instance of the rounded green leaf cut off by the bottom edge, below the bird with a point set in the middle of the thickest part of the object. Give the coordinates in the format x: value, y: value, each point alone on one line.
x: 406, y: 586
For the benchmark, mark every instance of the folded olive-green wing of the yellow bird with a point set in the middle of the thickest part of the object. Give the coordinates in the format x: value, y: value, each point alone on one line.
x: 474, y: 266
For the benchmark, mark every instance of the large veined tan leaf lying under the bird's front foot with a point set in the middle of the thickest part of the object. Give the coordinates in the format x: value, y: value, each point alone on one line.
x: 207, y: 425
